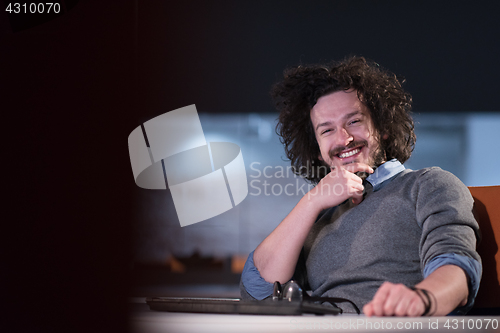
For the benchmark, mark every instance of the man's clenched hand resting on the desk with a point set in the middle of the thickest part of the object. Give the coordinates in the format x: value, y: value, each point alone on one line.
x: 395, y: 300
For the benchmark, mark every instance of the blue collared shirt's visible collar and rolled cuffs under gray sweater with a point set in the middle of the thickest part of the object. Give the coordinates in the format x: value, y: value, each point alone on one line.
x: 259, y: 288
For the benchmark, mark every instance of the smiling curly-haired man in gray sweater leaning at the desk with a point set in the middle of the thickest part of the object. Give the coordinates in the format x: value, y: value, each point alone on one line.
x: 399, y: 242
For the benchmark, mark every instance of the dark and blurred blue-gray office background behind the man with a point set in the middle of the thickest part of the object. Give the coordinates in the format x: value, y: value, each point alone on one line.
x: 77, y: 83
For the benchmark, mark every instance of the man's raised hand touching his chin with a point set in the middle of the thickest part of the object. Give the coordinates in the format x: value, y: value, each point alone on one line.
x: 339, y: 185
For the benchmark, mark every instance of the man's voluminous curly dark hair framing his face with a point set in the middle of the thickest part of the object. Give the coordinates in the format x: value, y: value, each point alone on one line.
x: 378, y: 89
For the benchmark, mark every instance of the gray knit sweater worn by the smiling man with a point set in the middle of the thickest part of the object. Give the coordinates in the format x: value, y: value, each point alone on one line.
x: 390, y: 236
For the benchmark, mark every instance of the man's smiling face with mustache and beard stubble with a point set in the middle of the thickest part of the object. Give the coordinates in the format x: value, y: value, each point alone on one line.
x: 344, y: 130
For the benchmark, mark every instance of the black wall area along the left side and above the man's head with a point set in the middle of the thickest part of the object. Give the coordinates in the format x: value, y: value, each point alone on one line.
x: 74, y: 87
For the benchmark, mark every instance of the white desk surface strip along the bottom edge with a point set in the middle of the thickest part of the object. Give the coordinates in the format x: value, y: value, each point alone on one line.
x: 145, y: 321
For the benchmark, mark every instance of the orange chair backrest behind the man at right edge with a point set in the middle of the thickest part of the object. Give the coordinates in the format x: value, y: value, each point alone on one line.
x: 487, y: 212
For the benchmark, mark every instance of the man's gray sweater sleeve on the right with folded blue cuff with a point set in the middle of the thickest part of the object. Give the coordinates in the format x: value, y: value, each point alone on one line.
x: 449, y: 230
